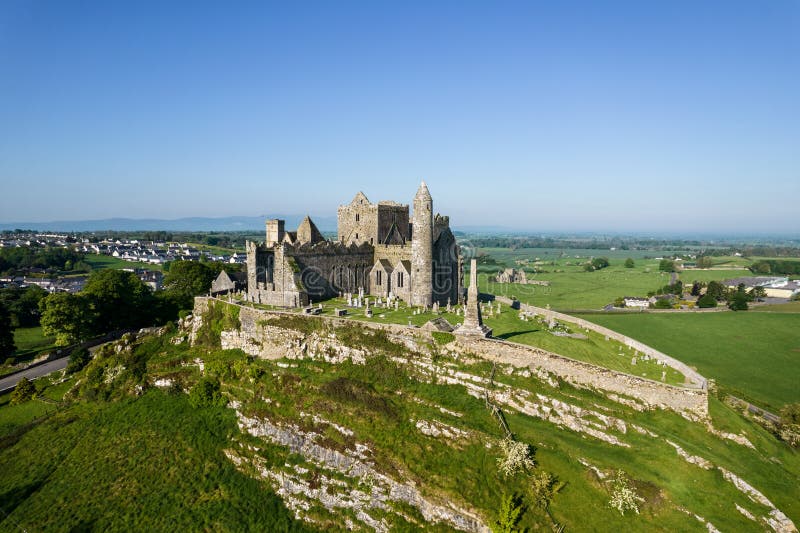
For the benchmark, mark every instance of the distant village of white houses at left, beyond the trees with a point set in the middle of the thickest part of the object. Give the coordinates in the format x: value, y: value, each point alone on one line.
x: 134, y: 251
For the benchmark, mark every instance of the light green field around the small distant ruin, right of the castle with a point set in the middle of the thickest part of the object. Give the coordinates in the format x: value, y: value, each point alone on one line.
x: 572, y: 288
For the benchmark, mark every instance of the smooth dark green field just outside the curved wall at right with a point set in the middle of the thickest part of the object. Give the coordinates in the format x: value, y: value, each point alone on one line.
x: 752, y: 355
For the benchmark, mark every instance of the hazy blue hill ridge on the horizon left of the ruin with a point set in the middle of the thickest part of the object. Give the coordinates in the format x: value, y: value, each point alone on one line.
x: 178, y: 224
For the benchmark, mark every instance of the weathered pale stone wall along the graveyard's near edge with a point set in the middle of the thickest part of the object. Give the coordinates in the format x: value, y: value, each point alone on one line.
x: 262, y: 340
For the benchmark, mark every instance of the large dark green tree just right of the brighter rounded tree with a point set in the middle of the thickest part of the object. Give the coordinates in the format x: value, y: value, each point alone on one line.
x: 120, y: 300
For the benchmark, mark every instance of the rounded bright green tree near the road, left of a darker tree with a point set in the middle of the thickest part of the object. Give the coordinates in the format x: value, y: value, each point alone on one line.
x: 66, y: 316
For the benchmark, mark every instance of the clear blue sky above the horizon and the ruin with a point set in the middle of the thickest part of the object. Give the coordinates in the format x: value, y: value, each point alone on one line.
x: 537, y: 115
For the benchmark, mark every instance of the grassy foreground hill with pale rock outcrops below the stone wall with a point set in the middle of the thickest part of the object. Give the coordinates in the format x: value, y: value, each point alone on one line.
x: 331, y: 433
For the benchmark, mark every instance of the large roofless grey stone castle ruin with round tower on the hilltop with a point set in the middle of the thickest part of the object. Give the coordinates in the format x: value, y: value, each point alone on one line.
x: 381, y: 250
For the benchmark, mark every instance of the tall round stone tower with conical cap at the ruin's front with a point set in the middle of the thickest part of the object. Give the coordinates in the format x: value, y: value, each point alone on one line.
x: 422, y: 248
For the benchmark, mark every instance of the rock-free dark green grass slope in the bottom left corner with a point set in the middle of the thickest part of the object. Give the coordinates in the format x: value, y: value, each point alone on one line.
x: 147, y: 463
